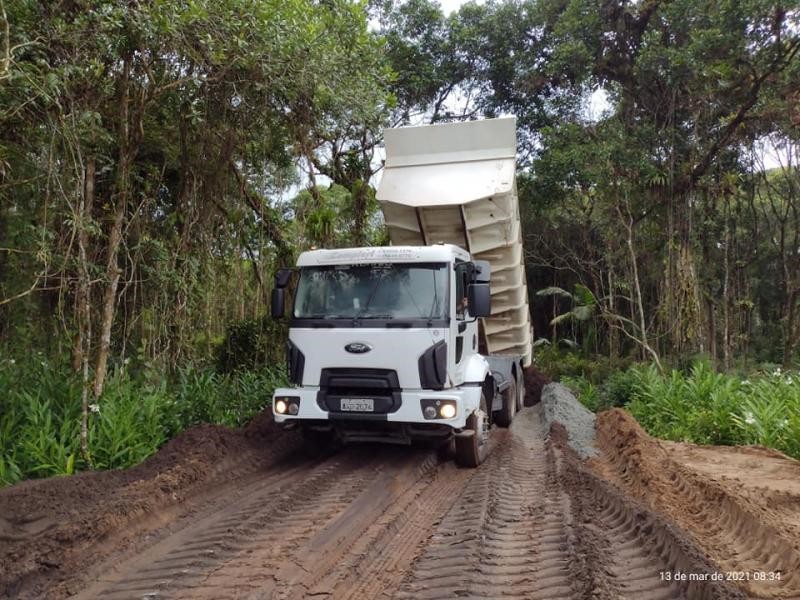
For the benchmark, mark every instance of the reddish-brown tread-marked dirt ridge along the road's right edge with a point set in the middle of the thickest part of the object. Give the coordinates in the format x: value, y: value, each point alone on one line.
x: 751, y: 545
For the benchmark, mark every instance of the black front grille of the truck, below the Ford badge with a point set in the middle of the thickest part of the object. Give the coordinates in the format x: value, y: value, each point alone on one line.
x: 380, y: 385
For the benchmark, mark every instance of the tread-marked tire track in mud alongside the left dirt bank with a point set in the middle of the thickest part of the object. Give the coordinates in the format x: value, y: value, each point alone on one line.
x: 265, y: 515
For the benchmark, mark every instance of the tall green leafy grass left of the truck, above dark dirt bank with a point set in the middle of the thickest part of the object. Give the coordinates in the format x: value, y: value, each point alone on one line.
x: 40, y: 414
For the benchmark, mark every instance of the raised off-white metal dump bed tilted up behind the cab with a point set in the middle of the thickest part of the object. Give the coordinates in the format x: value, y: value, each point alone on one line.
x: 455, y: 183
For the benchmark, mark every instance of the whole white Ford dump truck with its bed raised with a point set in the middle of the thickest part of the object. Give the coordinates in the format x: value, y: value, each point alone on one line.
x: 426, y: 338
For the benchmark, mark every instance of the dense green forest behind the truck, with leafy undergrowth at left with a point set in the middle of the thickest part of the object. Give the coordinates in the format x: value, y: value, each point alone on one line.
x: 160, y: 160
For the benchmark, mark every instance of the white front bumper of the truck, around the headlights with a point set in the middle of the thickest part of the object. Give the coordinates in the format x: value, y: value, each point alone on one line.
x: 466, y: 398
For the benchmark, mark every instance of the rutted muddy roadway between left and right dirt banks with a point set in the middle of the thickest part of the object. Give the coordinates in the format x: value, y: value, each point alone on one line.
x: 532, y: 522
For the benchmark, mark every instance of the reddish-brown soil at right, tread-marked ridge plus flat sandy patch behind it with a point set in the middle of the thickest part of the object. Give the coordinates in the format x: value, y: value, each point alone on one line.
x: 745, y: 522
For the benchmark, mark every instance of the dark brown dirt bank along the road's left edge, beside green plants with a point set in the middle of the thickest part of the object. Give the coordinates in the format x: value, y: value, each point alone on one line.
x: 48, y: 527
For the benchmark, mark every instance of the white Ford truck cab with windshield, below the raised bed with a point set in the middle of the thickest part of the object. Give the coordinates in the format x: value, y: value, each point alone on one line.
x: 383, y: 344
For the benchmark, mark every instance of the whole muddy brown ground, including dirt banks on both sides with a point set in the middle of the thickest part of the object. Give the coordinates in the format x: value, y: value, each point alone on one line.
x: 534, y: 521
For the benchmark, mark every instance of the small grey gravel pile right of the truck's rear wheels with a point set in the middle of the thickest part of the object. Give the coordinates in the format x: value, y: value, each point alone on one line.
x: 560, y: 406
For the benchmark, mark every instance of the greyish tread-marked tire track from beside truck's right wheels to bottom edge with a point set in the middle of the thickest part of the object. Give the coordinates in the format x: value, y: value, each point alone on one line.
x: 509, y: 532
